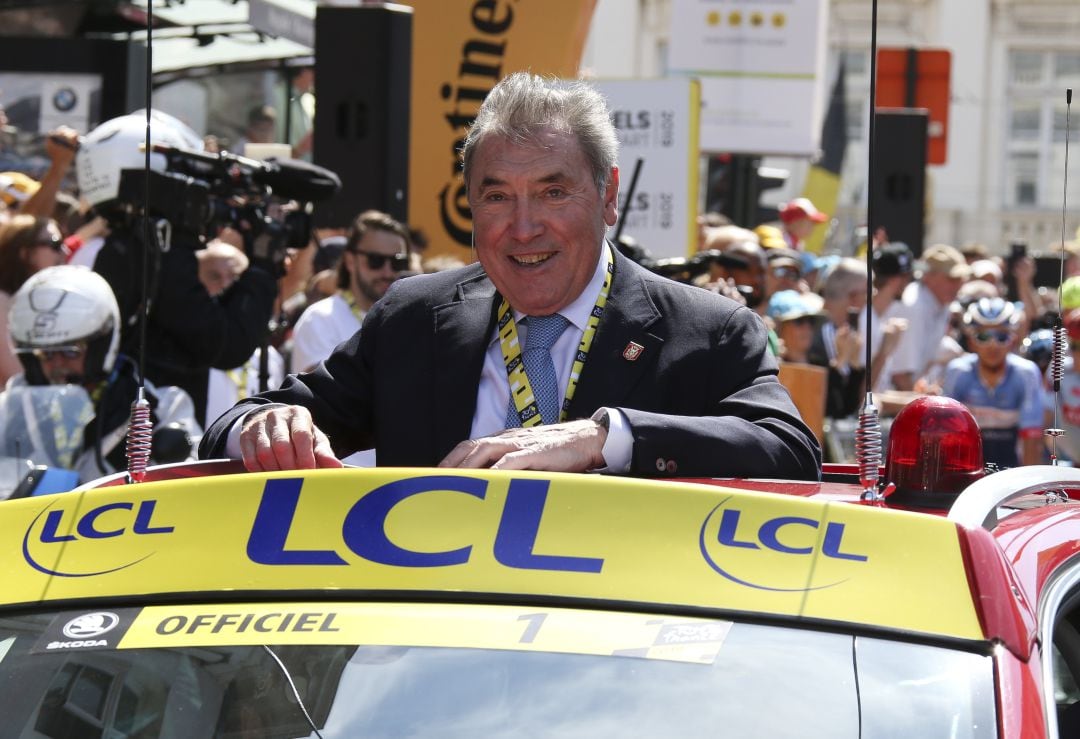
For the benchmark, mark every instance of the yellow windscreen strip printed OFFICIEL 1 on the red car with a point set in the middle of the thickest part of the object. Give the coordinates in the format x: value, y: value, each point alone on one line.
x: 427, y: 625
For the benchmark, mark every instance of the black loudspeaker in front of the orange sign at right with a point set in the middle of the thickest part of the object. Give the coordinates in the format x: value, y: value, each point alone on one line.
x: 900, y: 177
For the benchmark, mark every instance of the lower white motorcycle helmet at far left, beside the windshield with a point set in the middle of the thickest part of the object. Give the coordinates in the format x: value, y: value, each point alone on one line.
x: 61, y: 307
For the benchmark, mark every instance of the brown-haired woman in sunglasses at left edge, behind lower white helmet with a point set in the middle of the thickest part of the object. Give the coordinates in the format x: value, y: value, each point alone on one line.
x: 28, y: 245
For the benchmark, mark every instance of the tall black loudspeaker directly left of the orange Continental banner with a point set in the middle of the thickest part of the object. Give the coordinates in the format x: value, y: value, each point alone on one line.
x: 363, y: 74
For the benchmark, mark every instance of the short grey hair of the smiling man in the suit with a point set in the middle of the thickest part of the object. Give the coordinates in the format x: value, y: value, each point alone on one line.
x: 522, y: 105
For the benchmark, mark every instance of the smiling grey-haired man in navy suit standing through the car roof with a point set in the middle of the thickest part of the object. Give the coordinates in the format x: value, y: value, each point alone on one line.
x: 555, y: 353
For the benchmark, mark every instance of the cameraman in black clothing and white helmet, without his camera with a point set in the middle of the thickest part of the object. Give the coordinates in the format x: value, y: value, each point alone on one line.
x: 188, y: 331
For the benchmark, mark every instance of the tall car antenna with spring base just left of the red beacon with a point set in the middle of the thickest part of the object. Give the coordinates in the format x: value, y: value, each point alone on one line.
x: 869, y: 432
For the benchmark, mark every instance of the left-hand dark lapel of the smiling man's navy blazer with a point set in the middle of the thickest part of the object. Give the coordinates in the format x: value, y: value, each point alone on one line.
x: 463, y: 329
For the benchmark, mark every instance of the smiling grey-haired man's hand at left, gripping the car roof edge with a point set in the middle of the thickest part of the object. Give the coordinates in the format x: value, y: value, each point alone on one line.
x: 285, y: 438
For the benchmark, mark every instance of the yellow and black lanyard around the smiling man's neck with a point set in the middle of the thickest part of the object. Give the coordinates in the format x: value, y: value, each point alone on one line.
x: 525, y: 402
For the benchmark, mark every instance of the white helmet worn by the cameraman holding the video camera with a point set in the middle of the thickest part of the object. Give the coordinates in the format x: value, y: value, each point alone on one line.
x: 115, y: 146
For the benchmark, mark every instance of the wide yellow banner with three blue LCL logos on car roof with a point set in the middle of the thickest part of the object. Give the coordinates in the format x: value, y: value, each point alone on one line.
x: 357, y: 532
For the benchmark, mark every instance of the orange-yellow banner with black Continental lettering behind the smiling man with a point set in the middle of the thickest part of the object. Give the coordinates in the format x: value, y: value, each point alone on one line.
x: 461, y: 50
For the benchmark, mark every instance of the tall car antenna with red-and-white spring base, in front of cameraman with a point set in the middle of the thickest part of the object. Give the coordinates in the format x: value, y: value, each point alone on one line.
x: 141, y: 428
